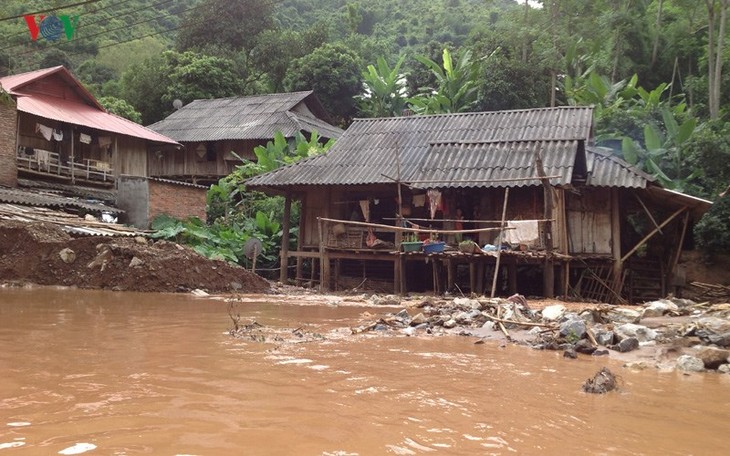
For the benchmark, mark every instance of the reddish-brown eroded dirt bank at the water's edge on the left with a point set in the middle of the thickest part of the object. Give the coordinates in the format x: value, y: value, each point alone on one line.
x: 44, y: 254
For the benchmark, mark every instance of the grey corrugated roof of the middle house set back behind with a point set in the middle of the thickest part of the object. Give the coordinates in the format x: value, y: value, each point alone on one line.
x: 252, y: 117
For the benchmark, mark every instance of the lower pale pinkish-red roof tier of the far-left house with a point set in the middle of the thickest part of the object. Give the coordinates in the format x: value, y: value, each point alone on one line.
x: 84, y: 115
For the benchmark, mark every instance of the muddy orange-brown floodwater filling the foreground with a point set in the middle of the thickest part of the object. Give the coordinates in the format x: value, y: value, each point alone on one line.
x: 92, y: 372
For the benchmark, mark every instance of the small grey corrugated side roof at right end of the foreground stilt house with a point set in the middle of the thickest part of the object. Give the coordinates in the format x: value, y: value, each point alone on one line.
x: 606, y: 170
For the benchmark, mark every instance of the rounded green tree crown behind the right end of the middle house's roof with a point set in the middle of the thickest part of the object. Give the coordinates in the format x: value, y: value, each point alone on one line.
x: 333, y: 72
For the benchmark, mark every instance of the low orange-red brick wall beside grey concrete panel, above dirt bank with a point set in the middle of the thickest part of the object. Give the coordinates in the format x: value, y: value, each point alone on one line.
x: 176, y: 200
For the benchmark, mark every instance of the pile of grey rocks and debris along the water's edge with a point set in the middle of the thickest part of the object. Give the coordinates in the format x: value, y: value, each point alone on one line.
x: 685, y: 335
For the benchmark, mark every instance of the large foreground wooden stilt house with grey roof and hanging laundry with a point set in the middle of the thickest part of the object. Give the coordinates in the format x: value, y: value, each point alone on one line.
x: 550, y: 212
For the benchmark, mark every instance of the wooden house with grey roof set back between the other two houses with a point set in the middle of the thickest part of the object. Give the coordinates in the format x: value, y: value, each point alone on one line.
x: 215, y: 133
